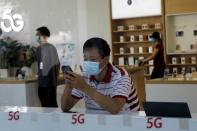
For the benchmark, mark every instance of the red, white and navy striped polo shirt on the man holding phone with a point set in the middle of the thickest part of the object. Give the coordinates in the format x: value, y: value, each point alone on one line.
x: 116, y: 83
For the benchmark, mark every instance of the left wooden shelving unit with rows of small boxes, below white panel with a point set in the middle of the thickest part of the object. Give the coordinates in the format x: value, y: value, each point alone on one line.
x: 127, y: 44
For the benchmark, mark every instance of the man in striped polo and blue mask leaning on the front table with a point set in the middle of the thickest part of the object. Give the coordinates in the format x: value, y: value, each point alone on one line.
x: 104, y: 87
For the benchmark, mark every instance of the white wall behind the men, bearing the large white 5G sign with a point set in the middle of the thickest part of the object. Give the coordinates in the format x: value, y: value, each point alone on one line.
x: 80, y: 19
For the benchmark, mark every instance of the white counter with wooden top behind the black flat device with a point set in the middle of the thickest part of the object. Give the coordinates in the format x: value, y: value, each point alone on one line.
x: 173, y: 90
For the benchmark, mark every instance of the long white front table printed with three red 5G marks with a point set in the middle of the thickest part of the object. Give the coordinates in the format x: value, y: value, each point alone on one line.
x: 43, y: 119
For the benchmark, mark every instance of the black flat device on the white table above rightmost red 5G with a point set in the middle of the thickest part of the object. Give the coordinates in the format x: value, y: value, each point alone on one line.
x: 167, y: 109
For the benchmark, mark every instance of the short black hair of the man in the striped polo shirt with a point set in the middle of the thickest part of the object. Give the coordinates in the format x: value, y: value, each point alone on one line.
x: 98, y: 43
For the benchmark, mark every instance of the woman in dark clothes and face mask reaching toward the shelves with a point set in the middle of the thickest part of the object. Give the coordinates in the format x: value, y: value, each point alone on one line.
x: 157, y: 56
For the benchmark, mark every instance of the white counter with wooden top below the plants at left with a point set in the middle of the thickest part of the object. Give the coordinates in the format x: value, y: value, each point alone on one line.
x: 17, y: 92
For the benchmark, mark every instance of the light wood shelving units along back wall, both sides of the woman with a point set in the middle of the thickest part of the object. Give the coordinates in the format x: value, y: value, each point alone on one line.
x: 127, y: 48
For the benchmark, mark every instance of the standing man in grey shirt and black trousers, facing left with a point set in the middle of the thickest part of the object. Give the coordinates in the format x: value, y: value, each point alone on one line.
x: 48, y: 68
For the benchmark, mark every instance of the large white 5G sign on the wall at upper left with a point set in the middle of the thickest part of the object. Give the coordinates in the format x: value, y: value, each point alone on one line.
x: 16, y: 22
